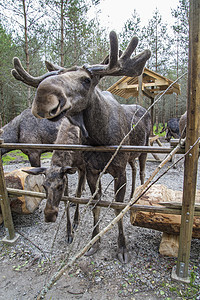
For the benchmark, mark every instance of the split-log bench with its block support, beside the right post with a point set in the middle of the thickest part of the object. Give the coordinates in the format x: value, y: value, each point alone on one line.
x: 169, y: 224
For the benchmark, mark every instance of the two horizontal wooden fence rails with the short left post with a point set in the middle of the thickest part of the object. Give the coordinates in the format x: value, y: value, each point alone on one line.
x: 5, y: 192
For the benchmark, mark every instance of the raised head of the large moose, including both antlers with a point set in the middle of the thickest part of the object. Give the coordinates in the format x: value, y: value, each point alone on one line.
x: 61, y: 90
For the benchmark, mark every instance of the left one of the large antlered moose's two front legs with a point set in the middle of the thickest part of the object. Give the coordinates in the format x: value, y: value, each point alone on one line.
x: 92, y: 180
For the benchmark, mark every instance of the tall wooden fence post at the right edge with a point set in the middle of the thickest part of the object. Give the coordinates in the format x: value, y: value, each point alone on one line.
x: 192, y: 134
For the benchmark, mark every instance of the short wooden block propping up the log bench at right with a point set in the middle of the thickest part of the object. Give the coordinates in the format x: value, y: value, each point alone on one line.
x: 169, y: 245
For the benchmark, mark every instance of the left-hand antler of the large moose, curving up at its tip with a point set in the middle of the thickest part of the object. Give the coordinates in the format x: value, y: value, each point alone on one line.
x: 20, y: 74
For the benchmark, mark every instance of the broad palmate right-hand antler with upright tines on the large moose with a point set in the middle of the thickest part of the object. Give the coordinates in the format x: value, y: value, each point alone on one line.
x: 124, y: 65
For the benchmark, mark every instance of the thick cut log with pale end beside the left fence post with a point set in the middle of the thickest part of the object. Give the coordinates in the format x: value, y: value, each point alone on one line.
x: 21, y: 180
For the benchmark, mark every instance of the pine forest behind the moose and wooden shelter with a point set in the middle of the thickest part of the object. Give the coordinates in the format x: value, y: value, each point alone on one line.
x: 62, y: 32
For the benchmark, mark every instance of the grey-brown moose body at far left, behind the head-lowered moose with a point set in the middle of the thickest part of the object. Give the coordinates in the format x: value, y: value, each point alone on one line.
x: 27, y: 129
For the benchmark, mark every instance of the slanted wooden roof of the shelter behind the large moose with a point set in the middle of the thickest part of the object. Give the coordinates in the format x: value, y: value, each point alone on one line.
x: 152, y: 84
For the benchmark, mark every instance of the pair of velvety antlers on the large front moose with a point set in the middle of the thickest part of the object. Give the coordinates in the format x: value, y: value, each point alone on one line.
x: 114, y: 66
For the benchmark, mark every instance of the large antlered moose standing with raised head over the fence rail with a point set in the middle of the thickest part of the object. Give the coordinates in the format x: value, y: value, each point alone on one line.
x: 74, y: 92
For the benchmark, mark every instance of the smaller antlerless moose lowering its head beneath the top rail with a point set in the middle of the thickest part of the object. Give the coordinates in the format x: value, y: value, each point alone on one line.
x: 56, y: 176
